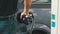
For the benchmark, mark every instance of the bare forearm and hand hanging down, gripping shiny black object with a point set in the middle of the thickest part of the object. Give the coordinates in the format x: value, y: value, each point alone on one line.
x: 27, y: 5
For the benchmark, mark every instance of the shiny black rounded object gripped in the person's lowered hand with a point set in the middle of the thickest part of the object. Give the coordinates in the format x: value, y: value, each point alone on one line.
x: 25, y: 19
